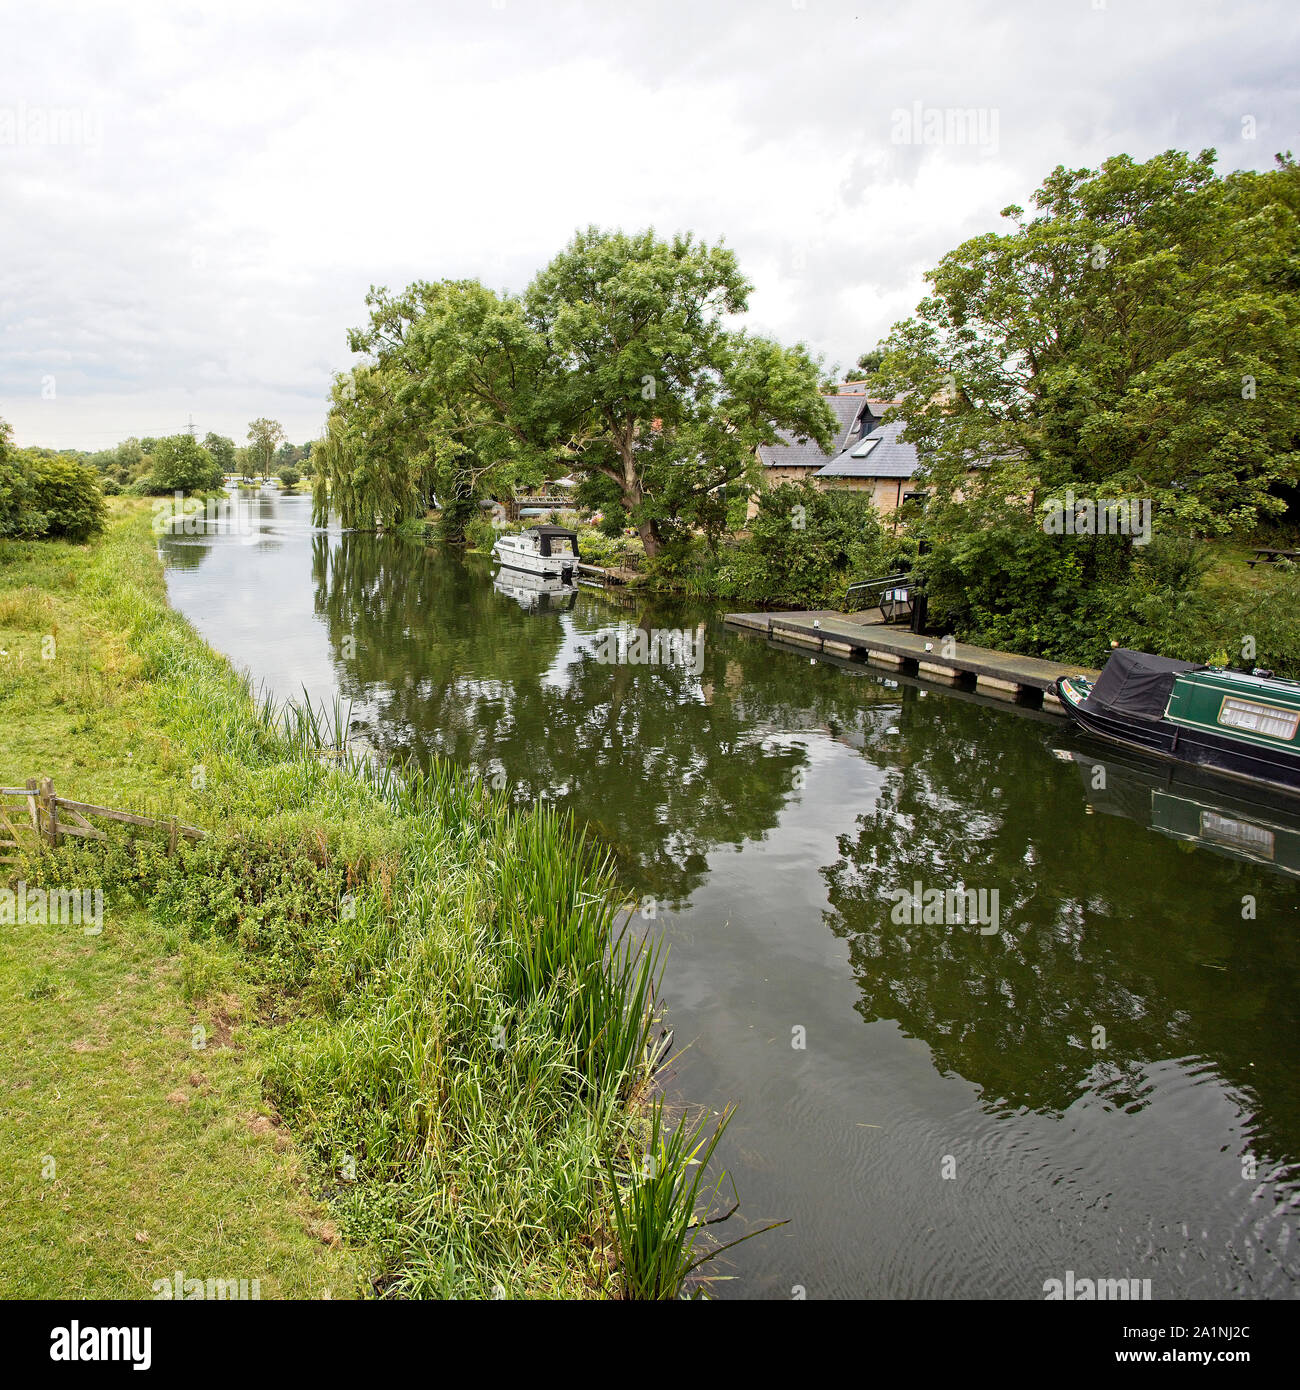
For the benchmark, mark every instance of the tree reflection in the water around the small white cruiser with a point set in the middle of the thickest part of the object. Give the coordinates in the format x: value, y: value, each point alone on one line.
x: 665, y: 765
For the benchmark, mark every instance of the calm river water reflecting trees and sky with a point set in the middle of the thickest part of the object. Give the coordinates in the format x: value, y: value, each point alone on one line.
x: 1103, y: 1081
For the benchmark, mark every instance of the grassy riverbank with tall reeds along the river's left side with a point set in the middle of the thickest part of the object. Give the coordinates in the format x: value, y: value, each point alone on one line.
x: 422, y: 1032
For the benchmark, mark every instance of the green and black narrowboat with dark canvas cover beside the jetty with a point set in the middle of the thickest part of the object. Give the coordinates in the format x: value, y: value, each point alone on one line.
x: 1238, y: 723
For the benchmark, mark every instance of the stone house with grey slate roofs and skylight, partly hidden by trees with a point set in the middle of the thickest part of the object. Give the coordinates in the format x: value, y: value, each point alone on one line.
x: 867, y: 457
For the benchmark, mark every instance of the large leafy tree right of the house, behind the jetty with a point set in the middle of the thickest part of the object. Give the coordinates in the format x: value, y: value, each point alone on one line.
x: 1138, y: 338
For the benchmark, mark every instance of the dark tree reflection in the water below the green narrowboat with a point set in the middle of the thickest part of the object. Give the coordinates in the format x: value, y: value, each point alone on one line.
x: 1098, y: 929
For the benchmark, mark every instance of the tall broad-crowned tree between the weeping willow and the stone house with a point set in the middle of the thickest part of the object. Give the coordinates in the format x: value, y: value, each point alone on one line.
x: 650, y: 387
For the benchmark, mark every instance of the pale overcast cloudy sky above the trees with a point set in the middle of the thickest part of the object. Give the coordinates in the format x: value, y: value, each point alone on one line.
x: 195, y: 198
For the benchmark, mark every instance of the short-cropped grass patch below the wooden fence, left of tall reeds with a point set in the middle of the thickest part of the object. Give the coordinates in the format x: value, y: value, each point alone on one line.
x: 130, y: 1153
